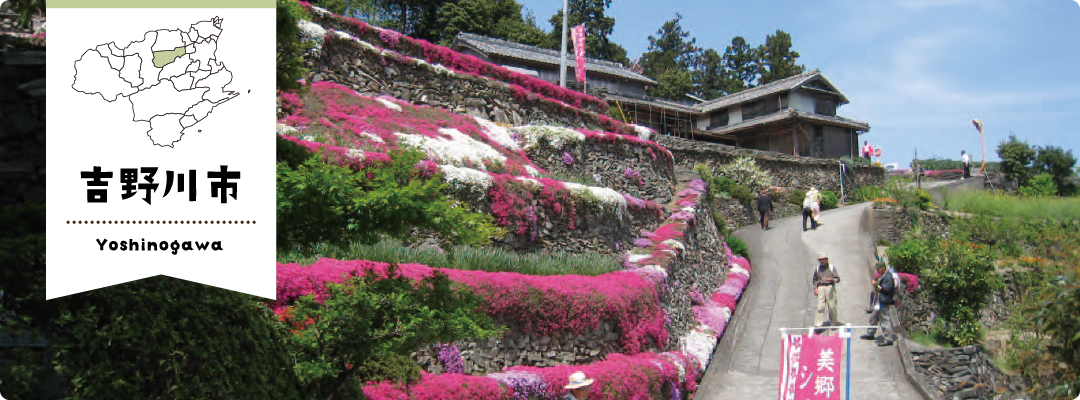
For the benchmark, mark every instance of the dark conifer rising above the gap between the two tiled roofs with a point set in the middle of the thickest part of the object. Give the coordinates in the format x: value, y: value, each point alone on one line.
x: 671, y: 55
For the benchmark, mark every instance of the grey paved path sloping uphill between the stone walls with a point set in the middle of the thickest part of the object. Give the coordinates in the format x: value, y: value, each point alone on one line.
x: 747, y: 364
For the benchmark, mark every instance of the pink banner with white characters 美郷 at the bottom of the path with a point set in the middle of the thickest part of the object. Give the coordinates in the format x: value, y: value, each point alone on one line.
x: 811, y: 367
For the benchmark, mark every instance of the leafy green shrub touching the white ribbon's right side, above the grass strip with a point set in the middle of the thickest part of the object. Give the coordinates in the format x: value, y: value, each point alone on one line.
x: 323, y: 204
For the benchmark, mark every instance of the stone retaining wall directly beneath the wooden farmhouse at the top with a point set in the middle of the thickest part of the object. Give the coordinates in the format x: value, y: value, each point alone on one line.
x: 788, y: 171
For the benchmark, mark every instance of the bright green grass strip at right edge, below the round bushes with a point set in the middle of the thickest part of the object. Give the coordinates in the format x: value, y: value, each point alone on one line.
x: 1006, y: 206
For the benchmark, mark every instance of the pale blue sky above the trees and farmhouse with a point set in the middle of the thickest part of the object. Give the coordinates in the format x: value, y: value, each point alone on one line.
x: 917, y: 71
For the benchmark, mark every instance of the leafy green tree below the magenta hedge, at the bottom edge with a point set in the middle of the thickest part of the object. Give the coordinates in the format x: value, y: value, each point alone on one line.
x: 367, y: 327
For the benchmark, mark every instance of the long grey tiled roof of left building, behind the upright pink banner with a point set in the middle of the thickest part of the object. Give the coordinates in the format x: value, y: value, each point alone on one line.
x: 509, y: 49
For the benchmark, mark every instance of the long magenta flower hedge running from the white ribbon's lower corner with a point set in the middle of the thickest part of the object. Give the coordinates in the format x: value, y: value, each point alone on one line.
x: 539, y: 304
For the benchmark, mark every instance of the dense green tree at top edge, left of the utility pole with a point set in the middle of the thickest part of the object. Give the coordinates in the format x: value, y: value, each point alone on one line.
x: 497, y: 19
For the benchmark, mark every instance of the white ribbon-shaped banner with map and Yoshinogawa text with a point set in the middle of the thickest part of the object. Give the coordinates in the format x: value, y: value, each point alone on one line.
x: 160, y: 144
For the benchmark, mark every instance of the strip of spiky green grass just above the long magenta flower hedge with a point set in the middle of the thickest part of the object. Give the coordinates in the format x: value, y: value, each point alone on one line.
x: 465, y: 258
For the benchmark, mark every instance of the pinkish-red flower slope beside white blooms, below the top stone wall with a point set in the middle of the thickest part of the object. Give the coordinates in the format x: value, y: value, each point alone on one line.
x: 357, y: 122
